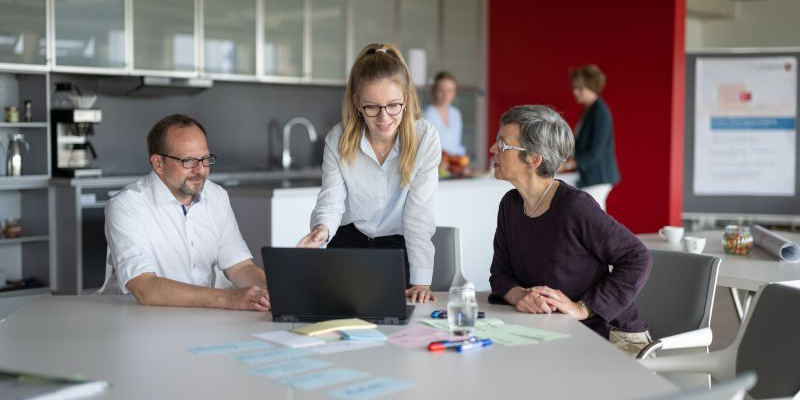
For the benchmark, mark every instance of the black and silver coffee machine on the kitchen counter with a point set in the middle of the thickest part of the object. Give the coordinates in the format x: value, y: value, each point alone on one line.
x: 72, y: 126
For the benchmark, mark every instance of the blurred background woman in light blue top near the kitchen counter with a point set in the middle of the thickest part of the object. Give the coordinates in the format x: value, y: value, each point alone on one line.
x: 444, y: 117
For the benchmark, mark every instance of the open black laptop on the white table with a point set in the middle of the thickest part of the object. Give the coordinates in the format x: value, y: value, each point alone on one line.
x: 311, y: 285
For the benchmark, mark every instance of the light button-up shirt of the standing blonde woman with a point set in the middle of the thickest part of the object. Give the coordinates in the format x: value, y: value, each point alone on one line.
x: 373, y: 197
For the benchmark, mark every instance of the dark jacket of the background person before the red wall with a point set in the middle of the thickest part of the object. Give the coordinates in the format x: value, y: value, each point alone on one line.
x: 594, y: 147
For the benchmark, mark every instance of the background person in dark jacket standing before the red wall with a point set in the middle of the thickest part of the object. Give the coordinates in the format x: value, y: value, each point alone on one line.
x: 594, y: 158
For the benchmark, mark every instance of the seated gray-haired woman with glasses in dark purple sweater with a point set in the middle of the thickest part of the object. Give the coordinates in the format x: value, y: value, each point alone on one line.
x: 553, y: 244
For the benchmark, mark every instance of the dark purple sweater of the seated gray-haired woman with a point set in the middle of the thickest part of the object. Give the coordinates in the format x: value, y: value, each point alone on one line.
x: 569, y: 248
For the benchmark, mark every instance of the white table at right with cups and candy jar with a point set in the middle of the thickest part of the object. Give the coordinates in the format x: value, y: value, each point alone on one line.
x: 743, y: 272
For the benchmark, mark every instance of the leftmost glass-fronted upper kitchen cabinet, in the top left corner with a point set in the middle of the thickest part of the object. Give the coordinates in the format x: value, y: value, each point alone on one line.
x: 23, y: 33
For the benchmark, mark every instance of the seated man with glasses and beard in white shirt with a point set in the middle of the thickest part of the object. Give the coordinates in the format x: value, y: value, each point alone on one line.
x: 167, y: 231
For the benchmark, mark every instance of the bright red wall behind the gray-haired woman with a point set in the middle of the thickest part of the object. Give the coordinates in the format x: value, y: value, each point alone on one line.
x: 639, y: 45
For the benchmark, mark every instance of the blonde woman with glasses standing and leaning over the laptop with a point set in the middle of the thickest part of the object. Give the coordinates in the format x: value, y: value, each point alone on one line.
x: 379, y: 169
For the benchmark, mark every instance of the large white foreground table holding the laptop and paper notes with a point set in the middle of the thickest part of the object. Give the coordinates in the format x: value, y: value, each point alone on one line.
x: 140, y: 350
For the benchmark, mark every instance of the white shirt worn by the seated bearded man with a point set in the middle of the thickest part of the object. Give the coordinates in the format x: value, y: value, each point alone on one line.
x: 147, y: 231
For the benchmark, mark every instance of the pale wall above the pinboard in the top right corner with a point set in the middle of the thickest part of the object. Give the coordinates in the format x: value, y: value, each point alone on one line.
x: 762, y: 23
